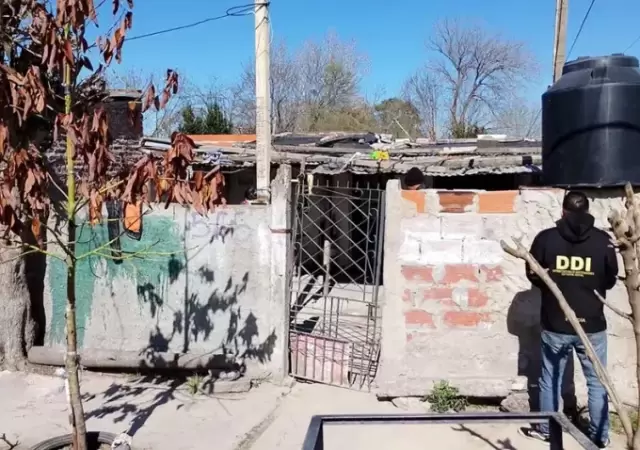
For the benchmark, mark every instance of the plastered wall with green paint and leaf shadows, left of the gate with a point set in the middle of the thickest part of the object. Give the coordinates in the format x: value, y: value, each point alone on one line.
x: 201, y: 286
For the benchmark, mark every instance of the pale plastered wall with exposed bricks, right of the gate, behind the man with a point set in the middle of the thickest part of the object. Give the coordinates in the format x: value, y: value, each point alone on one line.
x: 458, y: 308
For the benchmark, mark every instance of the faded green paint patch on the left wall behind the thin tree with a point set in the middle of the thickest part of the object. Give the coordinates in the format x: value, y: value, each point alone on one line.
x: 151, y: 274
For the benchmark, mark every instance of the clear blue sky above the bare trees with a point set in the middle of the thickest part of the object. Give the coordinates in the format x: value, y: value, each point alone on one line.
x: 391, y: 33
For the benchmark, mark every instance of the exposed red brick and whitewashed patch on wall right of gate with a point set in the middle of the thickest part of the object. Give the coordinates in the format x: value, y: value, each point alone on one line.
x: 448, y: 275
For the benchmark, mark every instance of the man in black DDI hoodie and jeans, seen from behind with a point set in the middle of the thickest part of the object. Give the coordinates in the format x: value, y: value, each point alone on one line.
x: 580, y: 259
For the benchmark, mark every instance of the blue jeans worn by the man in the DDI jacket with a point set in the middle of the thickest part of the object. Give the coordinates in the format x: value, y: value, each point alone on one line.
x: 556, y: 350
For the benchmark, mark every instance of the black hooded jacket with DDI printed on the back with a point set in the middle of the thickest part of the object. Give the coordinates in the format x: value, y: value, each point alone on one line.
x: 580, y: 259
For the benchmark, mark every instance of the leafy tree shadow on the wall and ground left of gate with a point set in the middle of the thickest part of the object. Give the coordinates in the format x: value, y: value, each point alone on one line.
x: 195, y: 322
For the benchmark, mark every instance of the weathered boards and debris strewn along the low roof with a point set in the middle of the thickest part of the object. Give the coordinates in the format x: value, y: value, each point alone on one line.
x: 366, y: 153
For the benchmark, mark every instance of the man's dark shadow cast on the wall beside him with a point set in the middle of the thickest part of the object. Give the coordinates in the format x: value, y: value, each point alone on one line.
x: 523, y: 321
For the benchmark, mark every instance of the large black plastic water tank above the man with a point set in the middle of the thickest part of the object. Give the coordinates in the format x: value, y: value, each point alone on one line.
x: 591, y: 123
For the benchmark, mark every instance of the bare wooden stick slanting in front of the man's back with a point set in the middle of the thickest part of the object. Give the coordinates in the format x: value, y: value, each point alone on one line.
x: 521, y: 252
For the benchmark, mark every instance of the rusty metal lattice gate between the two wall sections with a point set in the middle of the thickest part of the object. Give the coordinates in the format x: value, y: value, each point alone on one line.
x: 335, y: 274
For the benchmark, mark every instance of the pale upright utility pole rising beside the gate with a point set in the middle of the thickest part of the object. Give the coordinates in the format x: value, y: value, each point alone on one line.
x: 263, y: 100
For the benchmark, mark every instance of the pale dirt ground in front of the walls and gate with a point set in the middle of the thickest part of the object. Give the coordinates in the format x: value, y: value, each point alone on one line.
x: 163, y: 415
